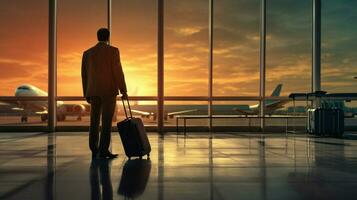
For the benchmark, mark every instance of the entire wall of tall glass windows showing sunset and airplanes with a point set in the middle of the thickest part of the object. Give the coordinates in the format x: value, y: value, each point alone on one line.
x: 236, y: 55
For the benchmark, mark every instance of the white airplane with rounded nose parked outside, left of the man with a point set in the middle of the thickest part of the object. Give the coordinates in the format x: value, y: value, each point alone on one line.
x: 41, y: 108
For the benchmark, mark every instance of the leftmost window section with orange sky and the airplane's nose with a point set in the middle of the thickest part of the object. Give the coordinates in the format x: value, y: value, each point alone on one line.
x: 23, y: 60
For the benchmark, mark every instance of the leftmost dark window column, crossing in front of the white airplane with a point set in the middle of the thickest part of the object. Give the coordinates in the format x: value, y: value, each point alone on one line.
x: 52, y: 65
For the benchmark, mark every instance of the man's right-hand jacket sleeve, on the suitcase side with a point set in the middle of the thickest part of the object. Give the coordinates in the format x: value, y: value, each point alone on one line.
x: 118, y: 73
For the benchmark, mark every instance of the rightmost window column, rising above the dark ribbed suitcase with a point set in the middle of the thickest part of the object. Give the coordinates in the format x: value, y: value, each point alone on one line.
x: 316, y: 48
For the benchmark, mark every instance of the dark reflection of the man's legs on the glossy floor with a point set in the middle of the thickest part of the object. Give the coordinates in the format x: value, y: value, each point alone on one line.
x: 100, y: 182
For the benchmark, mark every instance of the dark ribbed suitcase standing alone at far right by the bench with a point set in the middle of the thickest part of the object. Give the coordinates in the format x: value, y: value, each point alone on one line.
x: 326, y: 122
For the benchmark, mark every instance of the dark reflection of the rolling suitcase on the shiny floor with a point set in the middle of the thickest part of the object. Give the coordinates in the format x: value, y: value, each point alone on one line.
x: 134, y: 178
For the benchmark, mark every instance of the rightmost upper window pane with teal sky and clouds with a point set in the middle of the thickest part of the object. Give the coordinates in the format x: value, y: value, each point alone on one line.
x: 339, y: 41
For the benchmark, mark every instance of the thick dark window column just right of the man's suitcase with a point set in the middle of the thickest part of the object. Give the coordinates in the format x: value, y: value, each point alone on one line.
x: 160, y: 67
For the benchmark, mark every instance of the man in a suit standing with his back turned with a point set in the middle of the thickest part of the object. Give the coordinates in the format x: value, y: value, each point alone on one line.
x: 102, y: 77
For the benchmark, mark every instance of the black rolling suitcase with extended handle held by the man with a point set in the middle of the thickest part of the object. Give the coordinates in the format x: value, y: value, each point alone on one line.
x: 133, y: 135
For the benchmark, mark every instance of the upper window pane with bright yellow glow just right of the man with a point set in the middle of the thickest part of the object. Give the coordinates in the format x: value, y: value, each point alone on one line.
x: 134, y: 31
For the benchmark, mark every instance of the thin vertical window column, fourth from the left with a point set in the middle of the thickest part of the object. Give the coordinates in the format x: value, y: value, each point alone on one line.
x: 210, y: 64
